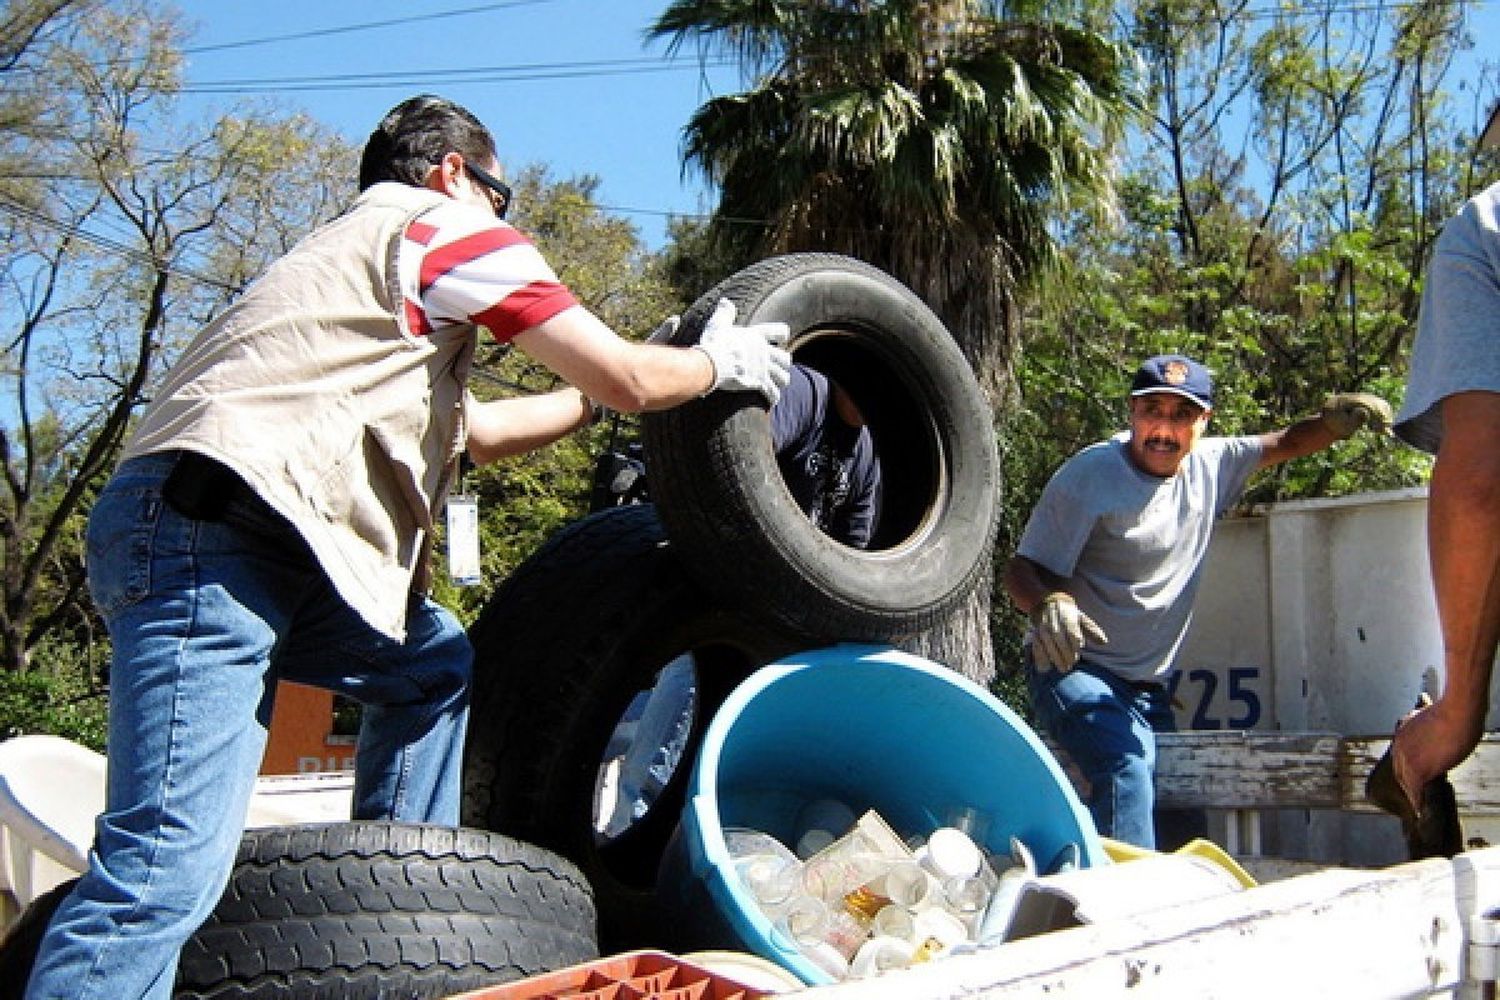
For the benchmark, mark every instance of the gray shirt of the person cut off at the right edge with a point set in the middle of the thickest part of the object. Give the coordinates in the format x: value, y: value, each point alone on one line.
x: 1459, y: 329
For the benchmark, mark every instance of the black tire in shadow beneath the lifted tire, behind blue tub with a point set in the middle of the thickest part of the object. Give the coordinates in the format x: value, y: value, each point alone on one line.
x: 563, y: 647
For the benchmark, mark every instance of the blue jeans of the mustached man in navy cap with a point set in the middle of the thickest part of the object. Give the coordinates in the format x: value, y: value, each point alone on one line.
x: 1109, y: 729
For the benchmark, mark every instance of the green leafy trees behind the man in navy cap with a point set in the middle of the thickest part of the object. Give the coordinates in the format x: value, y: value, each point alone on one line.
x: 1276, y: 220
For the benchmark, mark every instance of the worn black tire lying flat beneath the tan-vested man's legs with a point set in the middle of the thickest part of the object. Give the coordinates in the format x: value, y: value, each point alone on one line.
x: 367, y: 912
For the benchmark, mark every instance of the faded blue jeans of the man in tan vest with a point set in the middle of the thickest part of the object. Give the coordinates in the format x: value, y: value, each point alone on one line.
x: 205, y: 618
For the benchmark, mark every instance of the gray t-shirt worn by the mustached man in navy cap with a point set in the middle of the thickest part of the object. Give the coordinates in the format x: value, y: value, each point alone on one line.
x: 1132, y: 545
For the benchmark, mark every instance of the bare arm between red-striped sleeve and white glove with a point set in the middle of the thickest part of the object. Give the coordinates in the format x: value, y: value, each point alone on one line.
x: 622, y: 376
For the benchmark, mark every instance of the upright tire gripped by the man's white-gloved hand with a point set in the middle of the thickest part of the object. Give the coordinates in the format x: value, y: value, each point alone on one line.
x: 730, y: 515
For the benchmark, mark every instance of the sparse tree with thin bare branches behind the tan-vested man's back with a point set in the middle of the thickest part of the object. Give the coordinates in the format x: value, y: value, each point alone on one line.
x: 125, y: 229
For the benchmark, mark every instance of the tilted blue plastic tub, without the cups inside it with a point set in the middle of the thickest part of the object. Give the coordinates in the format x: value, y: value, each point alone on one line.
x: 874, y: 728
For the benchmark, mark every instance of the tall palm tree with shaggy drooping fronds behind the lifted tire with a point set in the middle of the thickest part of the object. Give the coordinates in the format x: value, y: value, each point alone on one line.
x: 937, y: 140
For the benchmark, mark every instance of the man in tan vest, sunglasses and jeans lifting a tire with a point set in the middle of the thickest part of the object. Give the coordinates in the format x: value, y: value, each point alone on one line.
x: 272, y: 518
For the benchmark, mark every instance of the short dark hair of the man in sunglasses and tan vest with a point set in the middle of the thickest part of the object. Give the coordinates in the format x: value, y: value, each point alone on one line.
x: 418, y: 134
